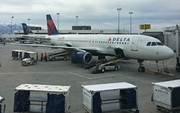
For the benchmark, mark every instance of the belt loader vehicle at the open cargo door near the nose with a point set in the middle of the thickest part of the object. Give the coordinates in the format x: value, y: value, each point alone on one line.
x: 106, y: 66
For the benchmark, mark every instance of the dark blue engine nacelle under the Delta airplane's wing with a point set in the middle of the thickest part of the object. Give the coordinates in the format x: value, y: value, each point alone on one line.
x: 82, y: 57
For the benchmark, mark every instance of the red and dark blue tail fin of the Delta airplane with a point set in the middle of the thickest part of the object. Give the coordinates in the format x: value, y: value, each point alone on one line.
x: 51, y: 26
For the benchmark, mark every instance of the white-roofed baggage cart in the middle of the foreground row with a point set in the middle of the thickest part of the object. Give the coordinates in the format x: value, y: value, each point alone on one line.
x: 99, y: 98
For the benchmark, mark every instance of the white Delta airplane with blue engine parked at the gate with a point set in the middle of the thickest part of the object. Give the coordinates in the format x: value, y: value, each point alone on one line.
x: 83, y: 47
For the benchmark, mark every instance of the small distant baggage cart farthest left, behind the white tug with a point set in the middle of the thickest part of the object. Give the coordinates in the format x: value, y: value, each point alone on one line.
x: 18, y: 54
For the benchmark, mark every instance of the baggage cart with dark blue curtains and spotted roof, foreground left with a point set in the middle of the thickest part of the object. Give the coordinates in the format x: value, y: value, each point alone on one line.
x: 37, y: 98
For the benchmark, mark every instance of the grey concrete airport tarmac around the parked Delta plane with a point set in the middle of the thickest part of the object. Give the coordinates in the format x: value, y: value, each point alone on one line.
x: 12, y: 74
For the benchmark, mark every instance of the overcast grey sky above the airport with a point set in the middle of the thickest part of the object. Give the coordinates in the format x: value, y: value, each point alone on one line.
x: 99, y: 14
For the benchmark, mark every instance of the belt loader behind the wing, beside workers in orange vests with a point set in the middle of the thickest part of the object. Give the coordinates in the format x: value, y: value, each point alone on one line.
x: 61, y: 55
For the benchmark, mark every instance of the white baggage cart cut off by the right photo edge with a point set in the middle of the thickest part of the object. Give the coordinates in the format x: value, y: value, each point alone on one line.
x: 166, y: 96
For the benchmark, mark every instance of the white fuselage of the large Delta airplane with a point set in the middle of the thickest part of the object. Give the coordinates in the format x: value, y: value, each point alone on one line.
x: 133, y: 46
